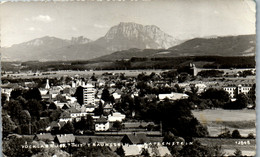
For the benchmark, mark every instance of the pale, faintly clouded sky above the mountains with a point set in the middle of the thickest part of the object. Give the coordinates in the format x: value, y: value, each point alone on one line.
x: 182, y: 19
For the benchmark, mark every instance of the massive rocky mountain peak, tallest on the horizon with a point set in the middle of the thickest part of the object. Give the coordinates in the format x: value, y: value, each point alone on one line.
x: 149, y: 36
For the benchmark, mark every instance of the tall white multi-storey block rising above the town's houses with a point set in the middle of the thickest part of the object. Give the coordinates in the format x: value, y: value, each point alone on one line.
x: 88, y: 94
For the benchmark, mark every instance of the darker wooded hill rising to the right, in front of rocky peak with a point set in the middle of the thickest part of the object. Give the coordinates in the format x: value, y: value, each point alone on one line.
x: 243, y: 45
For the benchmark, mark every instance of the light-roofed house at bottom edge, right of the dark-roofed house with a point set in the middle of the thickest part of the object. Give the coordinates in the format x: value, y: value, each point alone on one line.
x: 159, y: 151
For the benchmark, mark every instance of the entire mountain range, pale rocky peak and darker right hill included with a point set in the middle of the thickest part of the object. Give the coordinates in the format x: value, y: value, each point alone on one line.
x: 127, y: 40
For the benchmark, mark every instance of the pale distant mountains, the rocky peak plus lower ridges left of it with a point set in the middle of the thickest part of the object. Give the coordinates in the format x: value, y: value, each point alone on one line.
x: 120, y: 37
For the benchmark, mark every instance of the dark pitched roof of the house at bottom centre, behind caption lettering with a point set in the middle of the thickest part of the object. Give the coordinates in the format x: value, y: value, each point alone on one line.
x: 134, y: 138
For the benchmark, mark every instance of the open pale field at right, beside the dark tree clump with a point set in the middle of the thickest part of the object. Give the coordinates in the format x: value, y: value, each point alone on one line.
x: 218, y: 120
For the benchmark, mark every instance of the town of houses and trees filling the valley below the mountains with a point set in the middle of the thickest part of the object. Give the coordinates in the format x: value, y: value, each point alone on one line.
x: 140, y: 113
